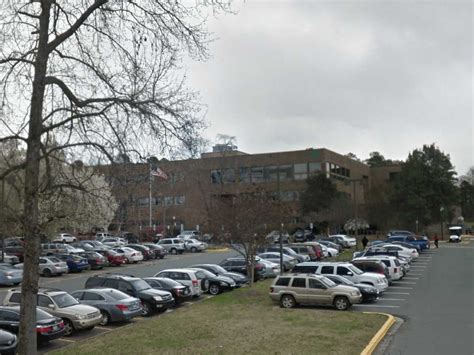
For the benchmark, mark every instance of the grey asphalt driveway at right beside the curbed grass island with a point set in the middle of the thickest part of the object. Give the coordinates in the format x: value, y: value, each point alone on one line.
x: 436, y: 301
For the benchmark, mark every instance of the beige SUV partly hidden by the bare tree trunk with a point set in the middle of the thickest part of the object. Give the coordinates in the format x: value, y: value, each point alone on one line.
x: 61, y: 304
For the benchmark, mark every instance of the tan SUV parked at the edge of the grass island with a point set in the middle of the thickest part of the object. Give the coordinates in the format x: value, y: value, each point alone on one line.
x: 290, y: 290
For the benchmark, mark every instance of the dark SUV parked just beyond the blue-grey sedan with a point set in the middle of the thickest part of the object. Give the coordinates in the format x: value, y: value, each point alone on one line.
x: 152, y: 299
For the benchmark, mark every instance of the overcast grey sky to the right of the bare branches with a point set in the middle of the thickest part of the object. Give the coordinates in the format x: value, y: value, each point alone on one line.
x: 352, y: 76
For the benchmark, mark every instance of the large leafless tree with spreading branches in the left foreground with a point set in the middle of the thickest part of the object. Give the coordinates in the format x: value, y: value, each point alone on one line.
x: 91, y: 78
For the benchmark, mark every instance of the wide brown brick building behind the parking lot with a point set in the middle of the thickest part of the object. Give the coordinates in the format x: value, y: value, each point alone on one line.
x: 184, y: 198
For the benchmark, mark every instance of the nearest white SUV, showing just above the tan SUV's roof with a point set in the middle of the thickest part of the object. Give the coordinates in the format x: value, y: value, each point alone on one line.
x: 347, y: 270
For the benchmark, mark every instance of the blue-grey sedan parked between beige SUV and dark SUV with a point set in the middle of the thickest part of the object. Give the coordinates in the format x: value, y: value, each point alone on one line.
x: 114, y: 305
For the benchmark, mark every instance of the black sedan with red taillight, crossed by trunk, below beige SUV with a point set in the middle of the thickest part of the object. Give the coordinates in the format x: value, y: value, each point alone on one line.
x: 48, y: 327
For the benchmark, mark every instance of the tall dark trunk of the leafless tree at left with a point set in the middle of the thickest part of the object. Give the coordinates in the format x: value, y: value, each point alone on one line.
x: 29, y: 287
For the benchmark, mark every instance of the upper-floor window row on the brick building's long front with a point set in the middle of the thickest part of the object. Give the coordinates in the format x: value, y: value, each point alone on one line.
x: 270, y: 173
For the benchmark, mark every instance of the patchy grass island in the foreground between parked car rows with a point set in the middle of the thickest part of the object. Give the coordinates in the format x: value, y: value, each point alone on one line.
x: 238, y: 322
